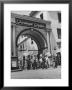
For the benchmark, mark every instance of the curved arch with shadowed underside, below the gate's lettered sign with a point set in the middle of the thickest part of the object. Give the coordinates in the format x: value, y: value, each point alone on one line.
x: 36, y: 36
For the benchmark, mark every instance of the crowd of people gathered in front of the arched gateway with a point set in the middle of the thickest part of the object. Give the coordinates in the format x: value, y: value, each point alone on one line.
x: 42, y: 61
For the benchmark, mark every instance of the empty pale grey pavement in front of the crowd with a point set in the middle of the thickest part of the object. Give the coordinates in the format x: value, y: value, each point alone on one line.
x: 50, y: 73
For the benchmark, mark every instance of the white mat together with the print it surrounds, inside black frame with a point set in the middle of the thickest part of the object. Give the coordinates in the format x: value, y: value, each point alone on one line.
x: 36, y: 44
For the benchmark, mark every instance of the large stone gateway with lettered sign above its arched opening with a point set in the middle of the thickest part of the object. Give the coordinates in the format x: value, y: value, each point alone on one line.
x: 37, y: 29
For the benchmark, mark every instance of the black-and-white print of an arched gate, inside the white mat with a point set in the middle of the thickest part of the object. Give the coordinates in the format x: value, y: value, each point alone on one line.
x: 36, y: 44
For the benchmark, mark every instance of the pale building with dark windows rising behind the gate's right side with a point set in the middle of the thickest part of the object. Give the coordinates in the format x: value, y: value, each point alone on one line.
x: 55, y: 18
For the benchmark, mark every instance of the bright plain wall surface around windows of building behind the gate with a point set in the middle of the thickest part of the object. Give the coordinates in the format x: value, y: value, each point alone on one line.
x: 53, y: 17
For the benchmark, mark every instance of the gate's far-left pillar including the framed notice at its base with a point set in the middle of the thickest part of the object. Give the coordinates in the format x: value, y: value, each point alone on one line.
x: 14, y: 58
